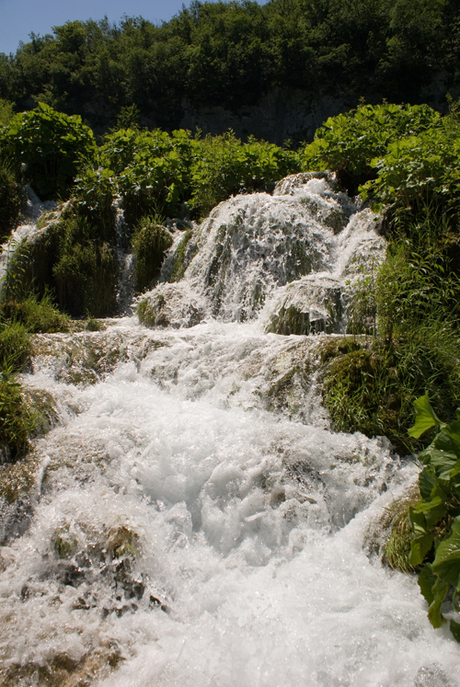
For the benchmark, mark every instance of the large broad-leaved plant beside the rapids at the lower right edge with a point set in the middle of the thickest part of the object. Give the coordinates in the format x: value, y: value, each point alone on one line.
x: 435, y: 520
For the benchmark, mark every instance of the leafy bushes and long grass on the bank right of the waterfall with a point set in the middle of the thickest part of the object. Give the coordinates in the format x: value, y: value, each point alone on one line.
x: 411, y: 302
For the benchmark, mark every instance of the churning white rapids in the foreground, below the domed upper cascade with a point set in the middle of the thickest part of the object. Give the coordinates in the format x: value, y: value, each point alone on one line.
x: 247, y: 530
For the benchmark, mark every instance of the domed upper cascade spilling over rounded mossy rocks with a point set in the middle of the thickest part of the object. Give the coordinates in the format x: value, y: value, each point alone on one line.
x: 302, y: 250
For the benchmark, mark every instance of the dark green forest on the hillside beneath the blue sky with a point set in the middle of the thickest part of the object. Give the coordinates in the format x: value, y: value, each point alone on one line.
x: 231, y: 54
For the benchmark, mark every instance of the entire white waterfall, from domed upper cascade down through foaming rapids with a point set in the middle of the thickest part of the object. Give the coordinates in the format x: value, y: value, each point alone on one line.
x: 191, y: 520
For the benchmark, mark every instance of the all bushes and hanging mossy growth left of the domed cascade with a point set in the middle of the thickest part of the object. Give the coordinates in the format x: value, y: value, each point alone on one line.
x: 76, y: 257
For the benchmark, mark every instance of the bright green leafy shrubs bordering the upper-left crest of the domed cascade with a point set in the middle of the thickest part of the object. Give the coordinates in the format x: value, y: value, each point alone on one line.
x: 175, y: 174
